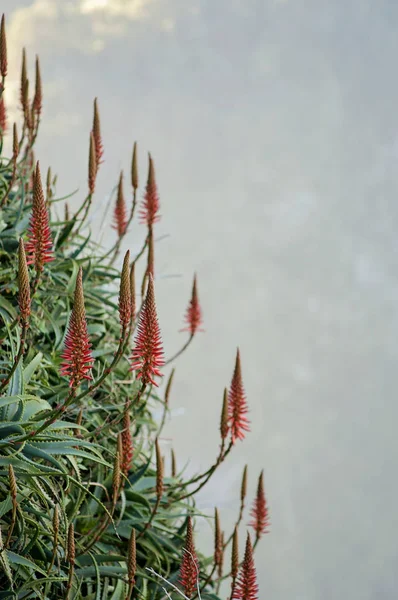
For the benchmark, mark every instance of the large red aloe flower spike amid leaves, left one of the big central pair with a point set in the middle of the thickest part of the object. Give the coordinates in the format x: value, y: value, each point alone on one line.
x: 77, y: 357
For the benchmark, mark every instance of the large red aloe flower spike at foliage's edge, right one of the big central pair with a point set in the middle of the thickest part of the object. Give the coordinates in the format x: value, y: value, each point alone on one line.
x: 147, y: 355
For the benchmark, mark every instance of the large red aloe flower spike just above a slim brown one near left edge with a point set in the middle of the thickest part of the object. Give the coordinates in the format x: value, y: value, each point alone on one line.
x: 39, y: 247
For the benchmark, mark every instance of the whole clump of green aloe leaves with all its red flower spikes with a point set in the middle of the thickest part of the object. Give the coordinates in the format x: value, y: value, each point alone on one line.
x: 86, y: 509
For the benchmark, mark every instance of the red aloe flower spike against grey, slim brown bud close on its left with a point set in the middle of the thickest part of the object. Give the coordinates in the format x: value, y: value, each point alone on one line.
x: 237, y: 404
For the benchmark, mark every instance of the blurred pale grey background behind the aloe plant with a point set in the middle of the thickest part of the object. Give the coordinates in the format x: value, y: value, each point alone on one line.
x: 273, y: 125
